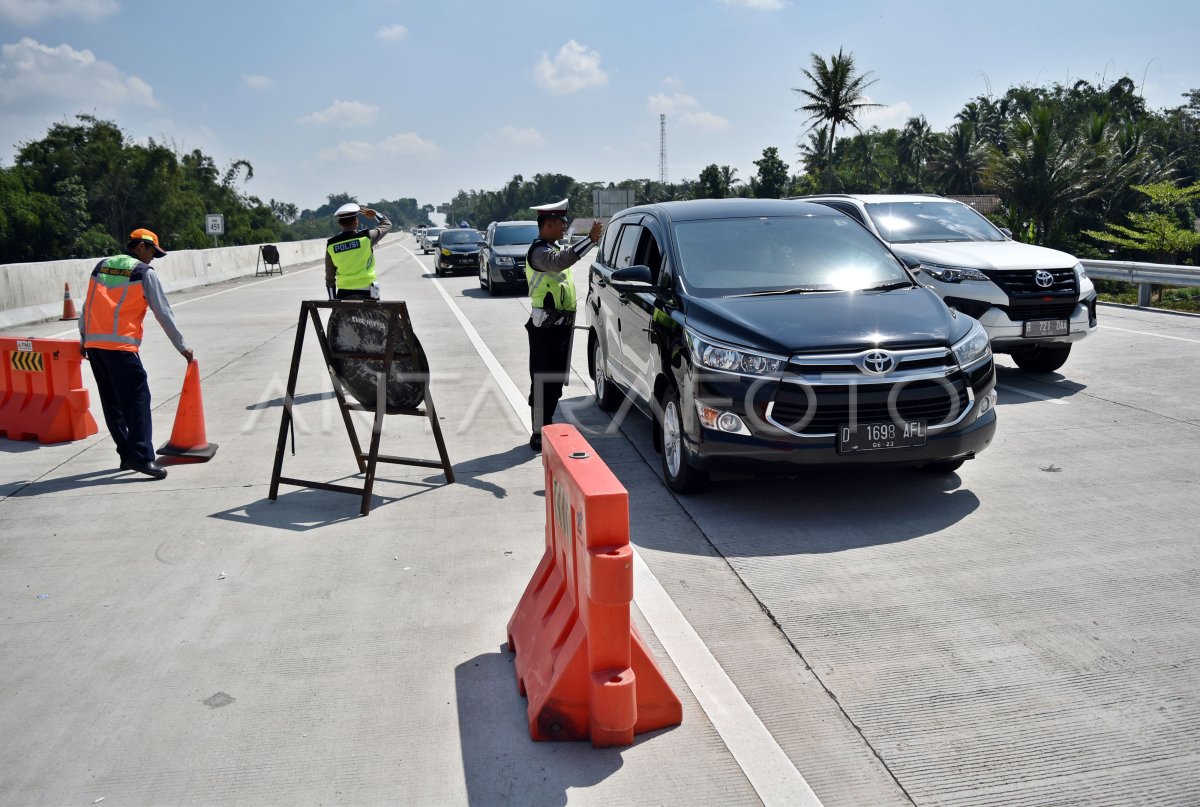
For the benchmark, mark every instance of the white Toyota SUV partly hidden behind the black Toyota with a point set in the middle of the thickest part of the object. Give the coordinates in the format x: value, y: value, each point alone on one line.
x: 1034, y: 302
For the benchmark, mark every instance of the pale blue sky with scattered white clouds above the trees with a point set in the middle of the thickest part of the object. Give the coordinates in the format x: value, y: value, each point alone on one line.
x: 392, y: 99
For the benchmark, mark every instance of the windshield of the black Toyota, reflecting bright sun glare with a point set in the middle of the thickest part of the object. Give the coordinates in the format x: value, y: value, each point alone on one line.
x: 820, y: 254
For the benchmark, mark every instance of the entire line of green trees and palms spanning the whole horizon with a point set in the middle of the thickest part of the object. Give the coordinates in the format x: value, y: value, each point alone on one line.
x: 1084, y: 168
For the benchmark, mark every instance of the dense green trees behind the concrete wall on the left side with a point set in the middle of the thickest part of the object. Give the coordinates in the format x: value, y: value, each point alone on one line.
x: 80, y: 190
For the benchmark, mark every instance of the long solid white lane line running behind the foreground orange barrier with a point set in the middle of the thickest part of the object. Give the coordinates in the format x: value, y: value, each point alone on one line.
x: 769, y: 769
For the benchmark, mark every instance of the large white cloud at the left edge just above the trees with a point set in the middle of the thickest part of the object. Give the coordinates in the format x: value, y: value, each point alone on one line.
x: 35, y: 77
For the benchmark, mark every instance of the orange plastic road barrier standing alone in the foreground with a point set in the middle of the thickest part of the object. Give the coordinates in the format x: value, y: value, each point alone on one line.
x: 584, y: 667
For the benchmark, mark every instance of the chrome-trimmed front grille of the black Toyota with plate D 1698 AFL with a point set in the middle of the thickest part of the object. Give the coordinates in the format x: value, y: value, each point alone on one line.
x: 819, y: 394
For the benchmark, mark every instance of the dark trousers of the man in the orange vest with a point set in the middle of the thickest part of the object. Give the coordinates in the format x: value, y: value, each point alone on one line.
x: 125, y: 398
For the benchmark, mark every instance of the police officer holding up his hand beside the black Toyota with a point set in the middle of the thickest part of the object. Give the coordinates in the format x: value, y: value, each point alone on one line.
x: 553, y: 297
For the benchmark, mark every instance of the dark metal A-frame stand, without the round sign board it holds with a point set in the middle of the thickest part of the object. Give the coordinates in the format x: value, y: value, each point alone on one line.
x: 399, y: 328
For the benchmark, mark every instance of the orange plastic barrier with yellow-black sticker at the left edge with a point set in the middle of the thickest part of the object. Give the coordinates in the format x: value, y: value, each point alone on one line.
x: 43, y: 396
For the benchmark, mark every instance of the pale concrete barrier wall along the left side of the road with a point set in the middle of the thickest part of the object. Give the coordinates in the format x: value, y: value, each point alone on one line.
x: 33, y: 292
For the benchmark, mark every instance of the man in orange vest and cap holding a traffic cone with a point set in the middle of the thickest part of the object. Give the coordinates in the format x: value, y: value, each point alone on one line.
x: 121, y: 291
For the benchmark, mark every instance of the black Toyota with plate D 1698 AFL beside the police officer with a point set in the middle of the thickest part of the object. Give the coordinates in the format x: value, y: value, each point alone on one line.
x: 764, y: 334
